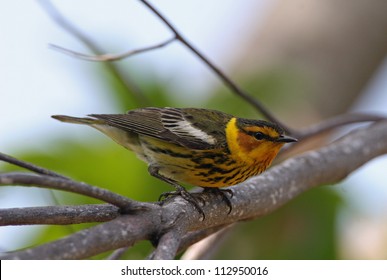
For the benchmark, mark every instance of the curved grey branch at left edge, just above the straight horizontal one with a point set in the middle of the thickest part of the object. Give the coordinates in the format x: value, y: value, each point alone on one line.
x: 24, y: 179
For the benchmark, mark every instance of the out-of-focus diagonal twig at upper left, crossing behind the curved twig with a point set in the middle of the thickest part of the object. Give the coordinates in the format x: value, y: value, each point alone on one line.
x: 126, y: 83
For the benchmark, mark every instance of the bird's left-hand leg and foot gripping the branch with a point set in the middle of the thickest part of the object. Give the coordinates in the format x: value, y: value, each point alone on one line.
x: 179, y: 190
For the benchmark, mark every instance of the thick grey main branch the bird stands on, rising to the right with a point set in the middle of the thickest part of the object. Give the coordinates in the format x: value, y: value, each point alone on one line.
x: 254, y: 198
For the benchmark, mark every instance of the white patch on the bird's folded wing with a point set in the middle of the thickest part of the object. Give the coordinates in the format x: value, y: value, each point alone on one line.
x: 180, y: 126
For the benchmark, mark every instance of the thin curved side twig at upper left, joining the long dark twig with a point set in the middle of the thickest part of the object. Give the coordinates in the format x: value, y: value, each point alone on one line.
x: 111, y: 57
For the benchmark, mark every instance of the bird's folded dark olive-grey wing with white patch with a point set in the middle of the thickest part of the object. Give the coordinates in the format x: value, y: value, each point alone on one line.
x: 178, y: 126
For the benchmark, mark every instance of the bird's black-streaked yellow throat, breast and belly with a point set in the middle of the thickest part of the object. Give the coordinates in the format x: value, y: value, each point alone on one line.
x: 245, y: 157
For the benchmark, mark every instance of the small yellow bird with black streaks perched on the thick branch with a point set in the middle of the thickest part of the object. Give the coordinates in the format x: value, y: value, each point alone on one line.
x: 200, y: 147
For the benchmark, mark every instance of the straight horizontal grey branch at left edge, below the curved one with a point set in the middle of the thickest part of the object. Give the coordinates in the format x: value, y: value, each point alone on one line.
x: 58, y: 215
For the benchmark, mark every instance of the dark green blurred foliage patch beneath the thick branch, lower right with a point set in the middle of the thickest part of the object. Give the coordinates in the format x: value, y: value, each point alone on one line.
x: 302, y: 229
